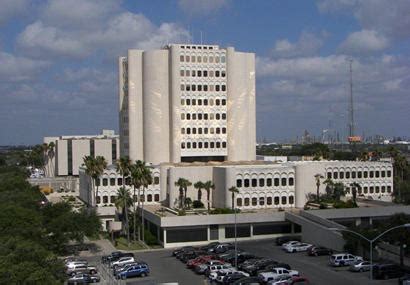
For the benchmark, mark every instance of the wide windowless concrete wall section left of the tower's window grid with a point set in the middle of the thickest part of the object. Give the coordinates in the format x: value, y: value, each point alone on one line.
x: 156, y: 106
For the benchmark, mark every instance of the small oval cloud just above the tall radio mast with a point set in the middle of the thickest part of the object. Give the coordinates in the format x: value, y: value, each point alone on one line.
x: 363, y: 42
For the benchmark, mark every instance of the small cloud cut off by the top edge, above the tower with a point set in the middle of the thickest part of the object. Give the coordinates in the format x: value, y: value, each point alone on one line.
x: 201, y: 7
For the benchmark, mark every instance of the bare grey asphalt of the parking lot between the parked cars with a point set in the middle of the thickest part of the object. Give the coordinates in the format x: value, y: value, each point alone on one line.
x: 167, y: 269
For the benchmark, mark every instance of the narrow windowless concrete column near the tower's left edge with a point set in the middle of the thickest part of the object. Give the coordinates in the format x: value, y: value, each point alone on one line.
x: 135, y: 104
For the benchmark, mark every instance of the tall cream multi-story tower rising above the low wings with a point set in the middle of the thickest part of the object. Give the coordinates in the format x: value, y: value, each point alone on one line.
x: 187, y: 103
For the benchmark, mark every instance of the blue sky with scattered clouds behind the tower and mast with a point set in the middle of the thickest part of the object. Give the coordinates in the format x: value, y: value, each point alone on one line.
x: 58, y: 61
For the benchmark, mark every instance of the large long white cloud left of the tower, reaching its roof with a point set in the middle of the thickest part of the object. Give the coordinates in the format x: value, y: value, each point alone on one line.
x: 113, y: 36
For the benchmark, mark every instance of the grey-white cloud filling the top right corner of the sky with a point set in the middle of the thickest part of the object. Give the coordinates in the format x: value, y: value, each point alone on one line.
x: 388, y: 18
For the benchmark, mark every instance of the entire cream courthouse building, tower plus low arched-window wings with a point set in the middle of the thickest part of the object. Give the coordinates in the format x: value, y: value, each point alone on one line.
x: 189, y: 111
